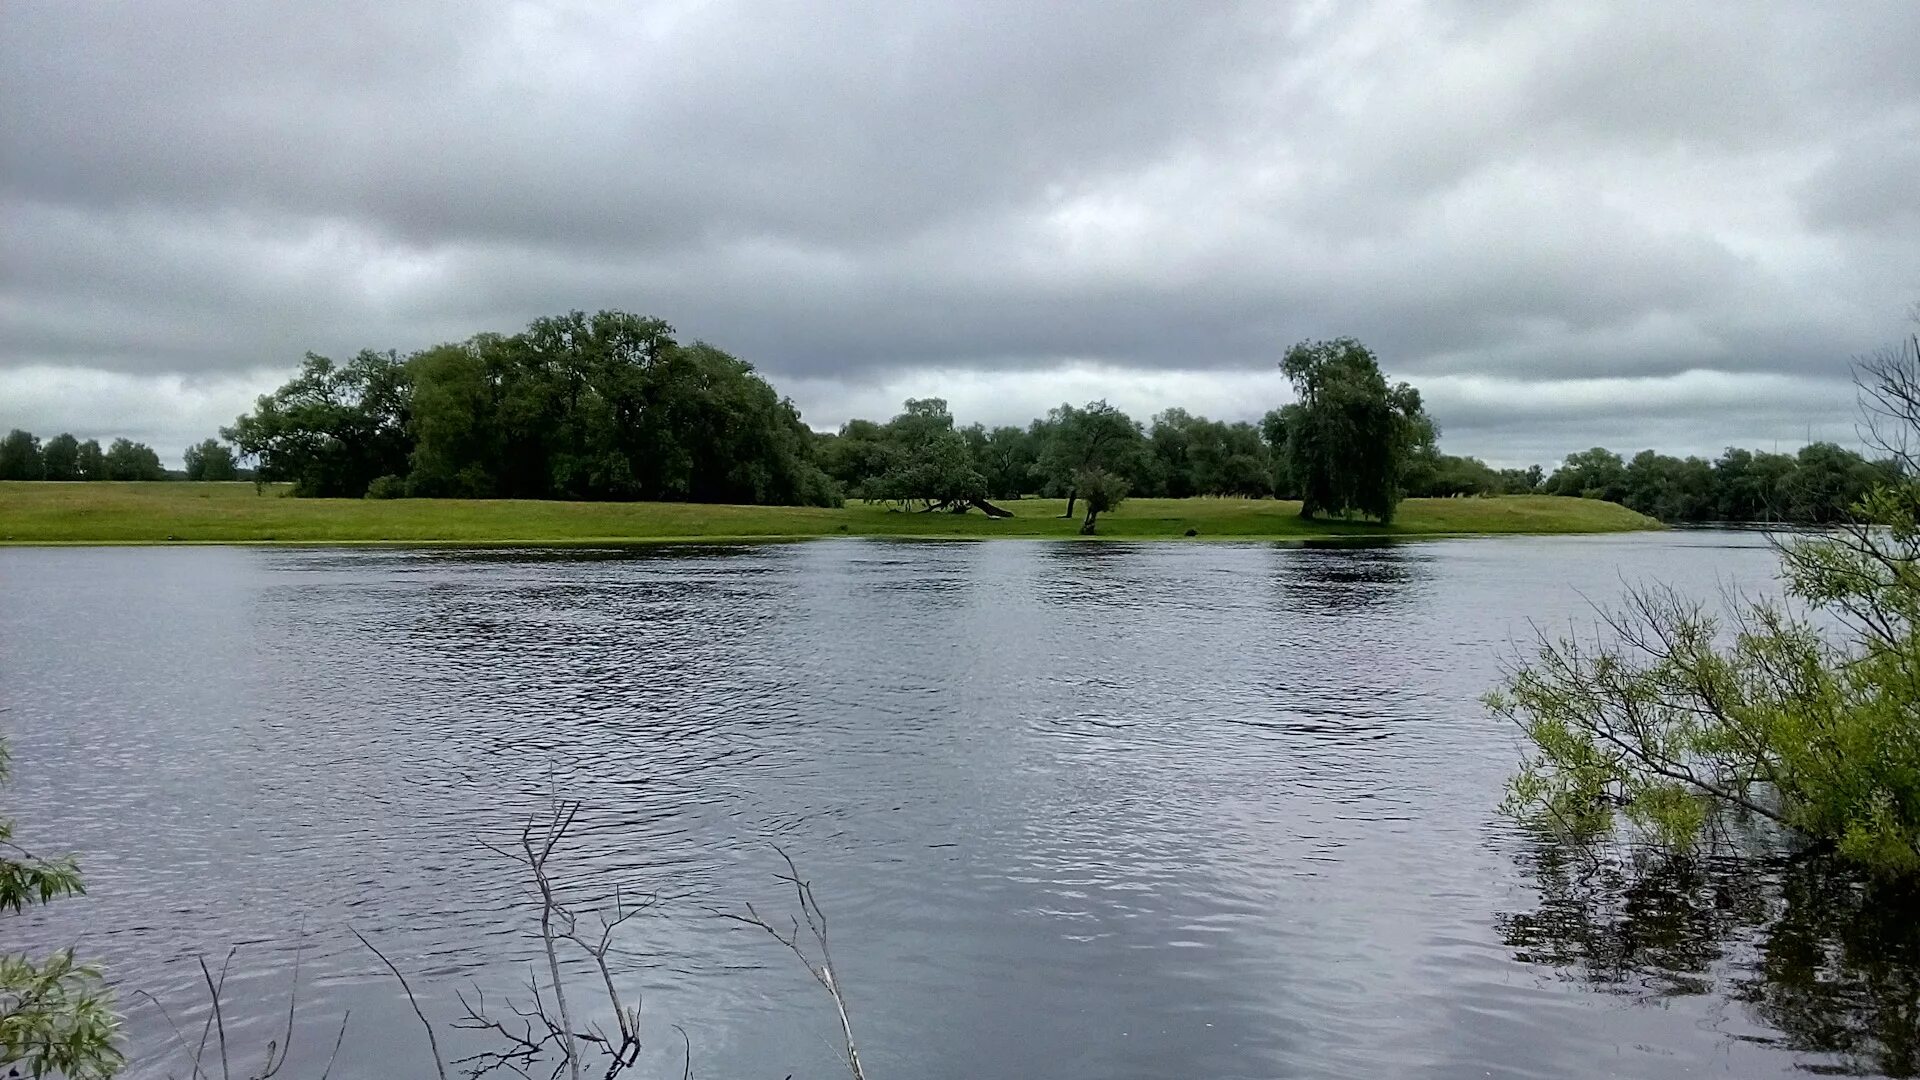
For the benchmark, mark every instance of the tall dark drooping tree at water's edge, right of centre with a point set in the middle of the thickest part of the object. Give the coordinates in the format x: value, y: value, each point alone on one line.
x: 1351, y: 437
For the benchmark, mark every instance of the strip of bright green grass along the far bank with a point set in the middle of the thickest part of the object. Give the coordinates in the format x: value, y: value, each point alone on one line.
x: 237, y: 514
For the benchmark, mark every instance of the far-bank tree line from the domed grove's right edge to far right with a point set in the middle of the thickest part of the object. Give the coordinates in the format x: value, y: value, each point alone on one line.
x: 1351, y: 445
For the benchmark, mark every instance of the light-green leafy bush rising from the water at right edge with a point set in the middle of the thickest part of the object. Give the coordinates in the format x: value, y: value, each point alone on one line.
x: 1800, y: 712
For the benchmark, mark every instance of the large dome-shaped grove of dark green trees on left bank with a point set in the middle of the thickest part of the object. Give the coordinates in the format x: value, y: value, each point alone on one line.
x: 604, y: 406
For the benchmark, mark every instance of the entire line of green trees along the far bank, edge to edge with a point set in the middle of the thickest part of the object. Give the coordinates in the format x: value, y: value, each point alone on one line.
x: 613, y: 406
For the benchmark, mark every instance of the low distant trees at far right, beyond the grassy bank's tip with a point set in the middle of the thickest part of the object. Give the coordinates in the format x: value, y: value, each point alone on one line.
x: 1819, y: 485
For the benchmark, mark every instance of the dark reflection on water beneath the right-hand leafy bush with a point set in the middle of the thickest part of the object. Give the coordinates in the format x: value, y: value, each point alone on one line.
x: 1827, y: 960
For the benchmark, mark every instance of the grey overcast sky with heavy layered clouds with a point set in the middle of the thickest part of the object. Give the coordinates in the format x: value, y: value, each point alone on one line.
x: 1581, y: 224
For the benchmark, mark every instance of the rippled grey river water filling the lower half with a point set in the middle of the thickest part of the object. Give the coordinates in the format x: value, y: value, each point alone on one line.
x: 1074, y: 810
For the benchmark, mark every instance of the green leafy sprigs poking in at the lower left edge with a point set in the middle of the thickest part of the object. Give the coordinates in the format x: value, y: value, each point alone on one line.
x: 57, y: 1018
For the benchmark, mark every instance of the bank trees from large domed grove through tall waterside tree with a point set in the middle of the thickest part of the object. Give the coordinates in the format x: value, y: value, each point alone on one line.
x: 613, y: 406
